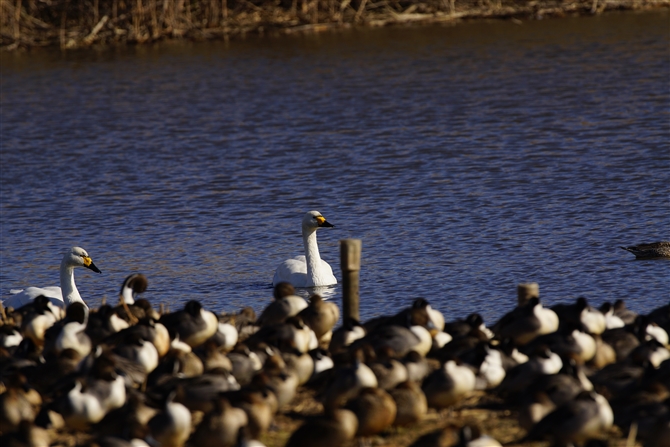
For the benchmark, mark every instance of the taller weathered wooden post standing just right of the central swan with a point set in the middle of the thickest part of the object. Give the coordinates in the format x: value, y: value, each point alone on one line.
x: 350, y: 262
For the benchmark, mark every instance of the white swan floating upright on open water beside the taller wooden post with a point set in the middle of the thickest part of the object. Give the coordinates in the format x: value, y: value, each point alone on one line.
x: 309, y: 270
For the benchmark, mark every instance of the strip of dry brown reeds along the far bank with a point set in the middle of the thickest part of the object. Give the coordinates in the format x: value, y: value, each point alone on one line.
x: 83, y: 23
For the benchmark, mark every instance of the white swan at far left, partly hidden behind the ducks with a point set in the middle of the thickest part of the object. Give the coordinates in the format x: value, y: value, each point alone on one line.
x: 61, y: 296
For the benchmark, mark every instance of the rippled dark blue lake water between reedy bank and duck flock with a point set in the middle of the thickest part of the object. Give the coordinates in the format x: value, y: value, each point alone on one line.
x: 467, y: 158
